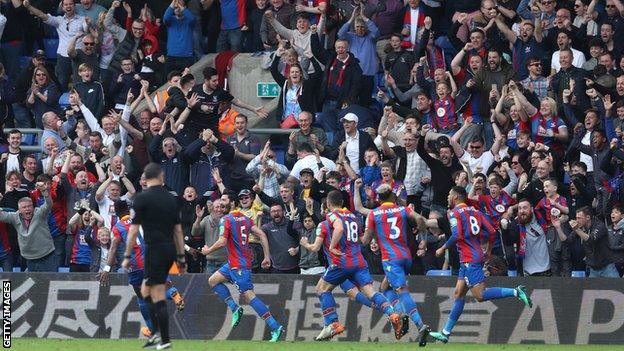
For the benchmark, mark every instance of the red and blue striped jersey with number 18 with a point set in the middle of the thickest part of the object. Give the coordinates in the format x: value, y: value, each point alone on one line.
x: 349, y: 242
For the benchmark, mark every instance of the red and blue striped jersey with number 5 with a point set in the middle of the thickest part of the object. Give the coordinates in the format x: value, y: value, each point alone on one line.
x: 236, y: 229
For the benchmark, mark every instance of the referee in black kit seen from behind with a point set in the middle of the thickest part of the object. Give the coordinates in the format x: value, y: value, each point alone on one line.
x: 156, y: 210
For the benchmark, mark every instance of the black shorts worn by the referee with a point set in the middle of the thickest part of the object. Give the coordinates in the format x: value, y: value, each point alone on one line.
x: 158, y: 261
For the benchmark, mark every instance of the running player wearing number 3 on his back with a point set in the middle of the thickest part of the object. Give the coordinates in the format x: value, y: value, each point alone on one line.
x: 391, y: 223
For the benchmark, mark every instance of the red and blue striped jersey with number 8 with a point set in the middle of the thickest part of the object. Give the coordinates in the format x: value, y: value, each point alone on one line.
x: 469, y: 228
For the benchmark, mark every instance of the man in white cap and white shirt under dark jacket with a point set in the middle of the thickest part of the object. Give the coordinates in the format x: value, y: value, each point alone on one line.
x: 355, y: 142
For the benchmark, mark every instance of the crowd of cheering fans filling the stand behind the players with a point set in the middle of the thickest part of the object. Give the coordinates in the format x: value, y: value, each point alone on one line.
x: 519, y: 101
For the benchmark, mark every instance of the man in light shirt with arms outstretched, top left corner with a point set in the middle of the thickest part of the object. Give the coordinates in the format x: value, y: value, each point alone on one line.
x: 67, y: 27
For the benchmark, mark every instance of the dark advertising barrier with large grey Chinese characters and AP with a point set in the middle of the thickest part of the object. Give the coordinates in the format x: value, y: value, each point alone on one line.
x: 566, y: 310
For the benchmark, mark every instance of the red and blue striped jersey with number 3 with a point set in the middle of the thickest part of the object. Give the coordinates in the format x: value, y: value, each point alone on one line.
x: 390, y: 222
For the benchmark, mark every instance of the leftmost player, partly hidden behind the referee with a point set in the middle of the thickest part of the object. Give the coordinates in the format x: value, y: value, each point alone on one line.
x: 135, y: 273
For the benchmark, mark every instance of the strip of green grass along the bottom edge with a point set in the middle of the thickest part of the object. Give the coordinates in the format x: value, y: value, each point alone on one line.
x: 32, y: 344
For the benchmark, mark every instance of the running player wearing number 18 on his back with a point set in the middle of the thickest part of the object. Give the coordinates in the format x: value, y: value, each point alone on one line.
x: 341, y: 245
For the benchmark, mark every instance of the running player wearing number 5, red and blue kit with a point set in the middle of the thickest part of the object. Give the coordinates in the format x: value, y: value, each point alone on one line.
x: 234, y: 231
